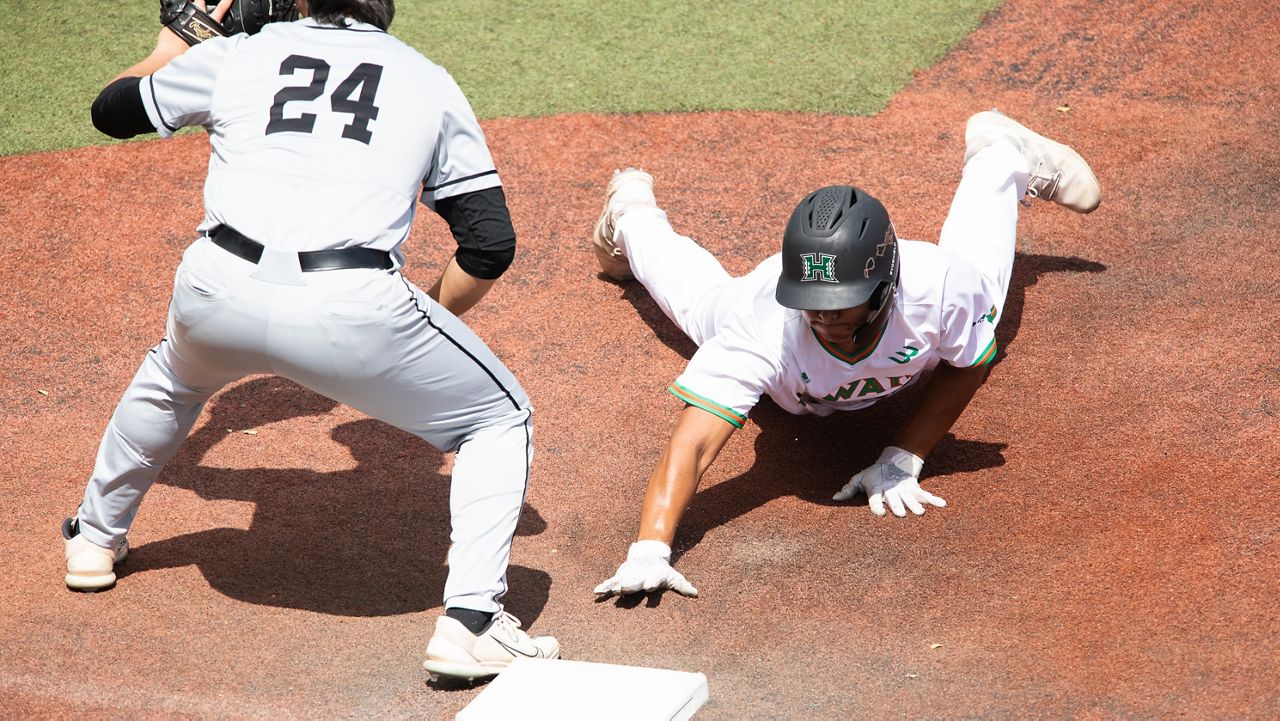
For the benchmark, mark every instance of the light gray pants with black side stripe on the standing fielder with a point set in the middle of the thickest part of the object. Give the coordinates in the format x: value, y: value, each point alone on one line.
x: 368, y: 339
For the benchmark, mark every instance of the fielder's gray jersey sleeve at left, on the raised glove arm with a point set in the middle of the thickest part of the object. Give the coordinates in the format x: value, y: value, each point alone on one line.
x: 182, y: 93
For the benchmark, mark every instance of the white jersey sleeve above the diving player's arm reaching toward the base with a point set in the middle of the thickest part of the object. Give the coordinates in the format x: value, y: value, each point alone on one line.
x: 728, y: 376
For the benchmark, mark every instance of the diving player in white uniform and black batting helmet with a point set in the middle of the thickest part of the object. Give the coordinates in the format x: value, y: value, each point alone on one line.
x: 845, y: 316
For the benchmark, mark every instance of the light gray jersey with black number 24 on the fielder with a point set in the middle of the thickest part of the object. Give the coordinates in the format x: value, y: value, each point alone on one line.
x: 298, y: 148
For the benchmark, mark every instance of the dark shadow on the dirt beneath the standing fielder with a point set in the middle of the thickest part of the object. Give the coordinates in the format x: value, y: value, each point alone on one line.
x: 371, y: 541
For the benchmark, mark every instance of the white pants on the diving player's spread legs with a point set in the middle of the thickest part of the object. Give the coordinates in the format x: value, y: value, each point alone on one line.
x: 696, y: 291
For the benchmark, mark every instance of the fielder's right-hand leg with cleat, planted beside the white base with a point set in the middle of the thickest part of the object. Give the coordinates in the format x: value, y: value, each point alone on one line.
x: 377, y: 343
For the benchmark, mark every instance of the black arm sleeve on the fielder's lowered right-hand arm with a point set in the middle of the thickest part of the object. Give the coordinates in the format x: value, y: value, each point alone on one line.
x: 482, y: 226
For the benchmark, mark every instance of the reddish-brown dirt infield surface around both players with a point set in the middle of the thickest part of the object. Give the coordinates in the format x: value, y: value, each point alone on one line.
x: 1110, y: 549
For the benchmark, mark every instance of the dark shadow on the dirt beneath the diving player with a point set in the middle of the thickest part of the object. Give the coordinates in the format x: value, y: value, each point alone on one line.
x: 812, y: 458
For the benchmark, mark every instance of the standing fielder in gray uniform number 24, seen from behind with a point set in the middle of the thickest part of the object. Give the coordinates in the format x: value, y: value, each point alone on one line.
x: 324, y: 135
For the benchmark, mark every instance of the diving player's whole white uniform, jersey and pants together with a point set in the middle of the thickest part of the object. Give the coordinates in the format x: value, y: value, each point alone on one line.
x: 947, y: 308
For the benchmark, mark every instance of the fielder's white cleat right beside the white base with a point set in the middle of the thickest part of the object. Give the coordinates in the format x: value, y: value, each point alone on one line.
x: 455, y: 651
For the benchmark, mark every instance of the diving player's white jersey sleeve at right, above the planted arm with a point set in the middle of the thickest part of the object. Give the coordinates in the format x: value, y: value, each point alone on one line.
x: 970, y: 317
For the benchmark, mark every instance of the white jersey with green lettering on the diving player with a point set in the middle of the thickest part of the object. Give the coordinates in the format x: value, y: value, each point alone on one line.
x: 943, y: 312
